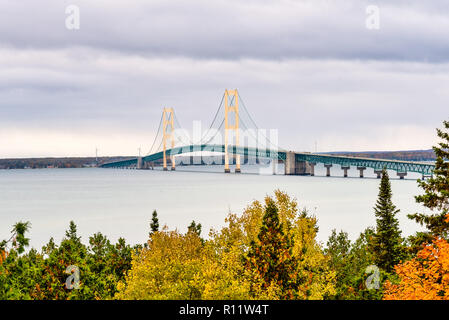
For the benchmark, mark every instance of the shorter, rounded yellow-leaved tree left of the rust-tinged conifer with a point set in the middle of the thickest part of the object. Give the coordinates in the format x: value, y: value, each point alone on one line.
x: 180, y: 266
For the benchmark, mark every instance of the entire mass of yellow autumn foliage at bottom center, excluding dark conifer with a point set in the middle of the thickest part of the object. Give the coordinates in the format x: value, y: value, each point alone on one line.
x: 182, y: 266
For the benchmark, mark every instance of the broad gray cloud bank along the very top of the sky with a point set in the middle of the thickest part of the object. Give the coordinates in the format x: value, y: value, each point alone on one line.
x: 409, y: 30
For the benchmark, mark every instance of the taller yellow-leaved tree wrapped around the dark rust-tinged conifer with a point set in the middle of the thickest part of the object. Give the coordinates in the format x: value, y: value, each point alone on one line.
x: 318, y: 280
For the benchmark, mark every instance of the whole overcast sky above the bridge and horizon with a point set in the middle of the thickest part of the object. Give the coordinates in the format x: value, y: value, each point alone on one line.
x: 311, y: 69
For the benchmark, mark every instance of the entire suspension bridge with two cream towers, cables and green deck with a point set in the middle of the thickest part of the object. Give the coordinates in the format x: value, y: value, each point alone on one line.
x: 174, y: 142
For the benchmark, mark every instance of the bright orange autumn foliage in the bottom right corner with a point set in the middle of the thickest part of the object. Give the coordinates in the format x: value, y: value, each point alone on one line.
x: 425, y: 277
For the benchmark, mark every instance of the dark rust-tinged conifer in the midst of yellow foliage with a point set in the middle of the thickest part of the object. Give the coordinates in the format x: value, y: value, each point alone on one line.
x: 271, y: 258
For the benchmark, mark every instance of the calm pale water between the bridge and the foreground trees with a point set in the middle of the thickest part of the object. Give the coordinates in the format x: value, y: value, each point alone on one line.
x: 119, y: 203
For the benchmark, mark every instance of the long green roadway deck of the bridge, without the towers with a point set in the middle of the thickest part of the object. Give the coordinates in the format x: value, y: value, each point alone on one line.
x: 296, y: 163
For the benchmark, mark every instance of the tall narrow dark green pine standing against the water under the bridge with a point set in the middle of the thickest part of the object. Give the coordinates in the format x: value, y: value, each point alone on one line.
x: 387, y: 243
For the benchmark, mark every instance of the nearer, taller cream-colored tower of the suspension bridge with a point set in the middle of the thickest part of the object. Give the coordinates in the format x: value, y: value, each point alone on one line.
x: 231, y: 105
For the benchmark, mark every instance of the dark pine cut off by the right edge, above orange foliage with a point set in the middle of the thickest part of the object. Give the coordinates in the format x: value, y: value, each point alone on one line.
x: 436, y: 195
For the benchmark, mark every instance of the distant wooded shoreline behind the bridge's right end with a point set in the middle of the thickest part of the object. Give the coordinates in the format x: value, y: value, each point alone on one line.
x: 412, y: 155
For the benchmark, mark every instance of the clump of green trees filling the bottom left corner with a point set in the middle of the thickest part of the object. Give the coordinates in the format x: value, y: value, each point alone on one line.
x: 42, y: 275
